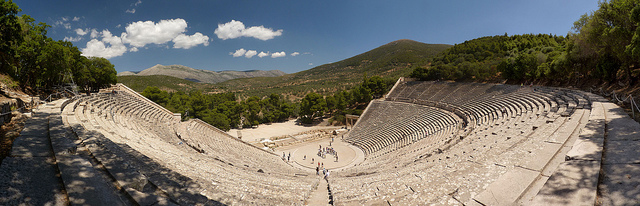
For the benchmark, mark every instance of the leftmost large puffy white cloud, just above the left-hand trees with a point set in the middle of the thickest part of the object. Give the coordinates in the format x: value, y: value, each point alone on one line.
x: 99, y: 48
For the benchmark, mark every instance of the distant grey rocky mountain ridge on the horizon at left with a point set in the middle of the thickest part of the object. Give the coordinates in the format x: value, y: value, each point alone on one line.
x: 199, y: 75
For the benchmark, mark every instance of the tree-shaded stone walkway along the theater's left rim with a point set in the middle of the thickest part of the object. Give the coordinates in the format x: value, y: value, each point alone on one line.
x: 48, y: 166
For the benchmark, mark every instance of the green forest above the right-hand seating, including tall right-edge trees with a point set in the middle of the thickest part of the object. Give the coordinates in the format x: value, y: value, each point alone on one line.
x: 604, y: 47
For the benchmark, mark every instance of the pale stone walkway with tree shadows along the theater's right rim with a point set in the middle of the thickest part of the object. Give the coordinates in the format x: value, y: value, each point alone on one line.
x: 603, y: 167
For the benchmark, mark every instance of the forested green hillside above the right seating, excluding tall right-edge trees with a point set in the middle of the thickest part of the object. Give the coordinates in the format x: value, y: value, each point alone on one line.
x: 484, y: 58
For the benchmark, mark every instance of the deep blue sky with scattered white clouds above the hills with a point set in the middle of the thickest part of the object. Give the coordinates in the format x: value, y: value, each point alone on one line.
x: 288, y: 35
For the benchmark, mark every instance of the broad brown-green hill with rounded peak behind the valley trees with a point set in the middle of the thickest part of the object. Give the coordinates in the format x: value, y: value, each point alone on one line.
x: 389, y: 61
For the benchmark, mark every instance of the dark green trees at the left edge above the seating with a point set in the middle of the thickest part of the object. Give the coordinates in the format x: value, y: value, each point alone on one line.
x: 39, y: 63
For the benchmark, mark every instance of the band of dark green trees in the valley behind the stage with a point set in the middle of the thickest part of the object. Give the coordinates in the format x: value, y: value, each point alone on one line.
x: 225, y: 111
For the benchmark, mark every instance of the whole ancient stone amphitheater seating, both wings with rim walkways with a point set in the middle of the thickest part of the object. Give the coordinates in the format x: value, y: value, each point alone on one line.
x: 425, y: 143
